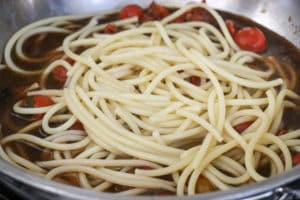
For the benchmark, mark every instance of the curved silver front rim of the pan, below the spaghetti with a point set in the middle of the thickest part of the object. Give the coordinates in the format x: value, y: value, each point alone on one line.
x: 266, y: 187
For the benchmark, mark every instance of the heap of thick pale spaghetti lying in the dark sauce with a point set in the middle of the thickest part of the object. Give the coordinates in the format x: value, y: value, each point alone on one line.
x: 161, y: 104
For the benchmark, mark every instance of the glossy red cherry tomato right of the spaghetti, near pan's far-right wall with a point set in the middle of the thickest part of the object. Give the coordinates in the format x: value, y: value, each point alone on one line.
x: 251, y: 39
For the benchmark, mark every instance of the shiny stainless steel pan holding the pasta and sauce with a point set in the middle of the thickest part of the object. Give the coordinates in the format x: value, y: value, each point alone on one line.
x: 281, y: 16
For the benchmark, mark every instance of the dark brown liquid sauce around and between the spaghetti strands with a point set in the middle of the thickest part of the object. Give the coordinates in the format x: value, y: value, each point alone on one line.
x: 12, y: 86
